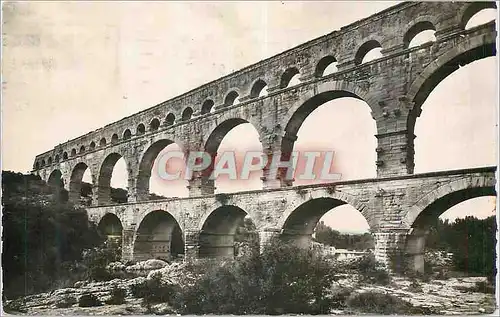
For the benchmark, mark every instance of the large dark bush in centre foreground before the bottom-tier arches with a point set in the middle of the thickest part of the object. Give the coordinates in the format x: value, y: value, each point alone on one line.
x: 283, y: 279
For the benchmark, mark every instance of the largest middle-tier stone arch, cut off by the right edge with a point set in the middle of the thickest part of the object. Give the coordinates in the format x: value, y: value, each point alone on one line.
x: 475, y: 49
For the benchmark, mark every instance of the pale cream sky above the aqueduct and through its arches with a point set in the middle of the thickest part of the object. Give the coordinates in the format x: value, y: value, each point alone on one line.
x: 71, y: 67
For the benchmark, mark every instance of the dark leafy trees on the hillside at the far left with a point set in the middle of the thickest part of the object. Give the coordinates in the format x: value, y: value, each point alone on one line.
x: 43, y: 237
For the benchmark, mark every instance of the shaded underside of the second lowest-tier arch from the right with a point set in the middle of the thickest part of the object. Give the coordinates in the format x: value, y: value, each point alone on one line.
x: 301, y: 222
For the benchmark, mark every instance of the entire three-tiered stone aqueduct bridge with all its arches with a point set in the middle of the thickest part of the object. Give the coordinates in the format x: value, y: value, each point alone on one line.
x: 396, y: 204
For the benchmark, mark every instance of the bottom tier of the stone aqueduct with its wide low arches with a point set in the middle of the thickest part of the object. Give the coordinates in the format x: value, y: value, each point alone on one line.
x: 395, y: 208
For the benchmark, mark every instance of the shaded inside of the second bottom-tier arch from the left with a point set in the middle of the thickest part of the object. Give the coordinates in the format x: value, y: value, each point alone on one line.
x: 158, y: 236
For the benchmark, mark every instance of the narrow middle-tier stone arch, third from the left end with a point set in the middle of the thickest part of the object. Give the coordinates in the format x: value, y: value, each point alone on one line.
x: 104, y: 179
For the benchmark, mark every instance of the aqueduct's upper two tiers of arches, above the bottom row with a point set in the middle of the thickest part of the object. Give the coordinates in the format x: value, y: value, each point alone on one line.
x: 394, y: 86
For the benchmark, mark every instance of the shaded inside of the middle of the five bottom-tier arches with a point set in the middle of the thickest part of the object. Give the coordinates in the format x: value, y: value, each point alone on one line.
x: 217, y: 235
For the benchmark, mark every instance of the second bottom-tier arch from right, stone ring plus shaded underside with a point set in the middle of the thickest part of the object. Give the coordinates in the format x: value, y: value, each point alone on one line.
x: 299, y: 220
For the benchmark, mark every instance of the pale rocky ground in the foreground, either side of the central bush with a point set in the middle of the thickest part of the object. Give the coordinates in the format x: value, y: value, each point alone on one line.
x: 456, y: 296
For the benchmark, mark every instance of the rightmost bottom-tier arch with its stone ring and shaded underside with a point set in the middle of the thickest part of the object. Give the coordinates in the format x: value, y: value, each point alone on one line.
x: 421, y: 218
